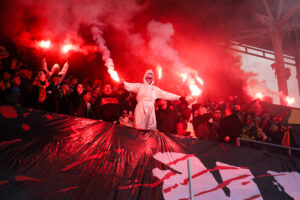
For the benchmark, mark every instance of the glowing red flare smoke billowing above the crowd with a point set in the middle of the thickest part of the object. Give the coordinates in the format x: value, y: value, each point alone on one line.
x: 184, y: 37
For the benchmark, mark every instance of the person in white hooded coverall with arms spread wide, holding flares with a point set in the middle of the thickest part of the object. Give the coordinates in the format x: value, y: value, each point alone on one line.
x: 146, y: 94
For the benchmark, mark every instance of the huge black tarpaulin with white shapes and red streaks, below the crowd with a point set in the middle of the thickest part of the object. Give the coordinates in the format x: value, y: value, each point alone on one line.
x: 52, y: 156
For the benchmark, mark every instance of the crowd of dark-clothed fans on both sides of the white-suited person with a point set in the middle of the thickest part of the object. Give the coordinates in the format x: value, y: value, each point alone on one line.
x: 221, y: 119
